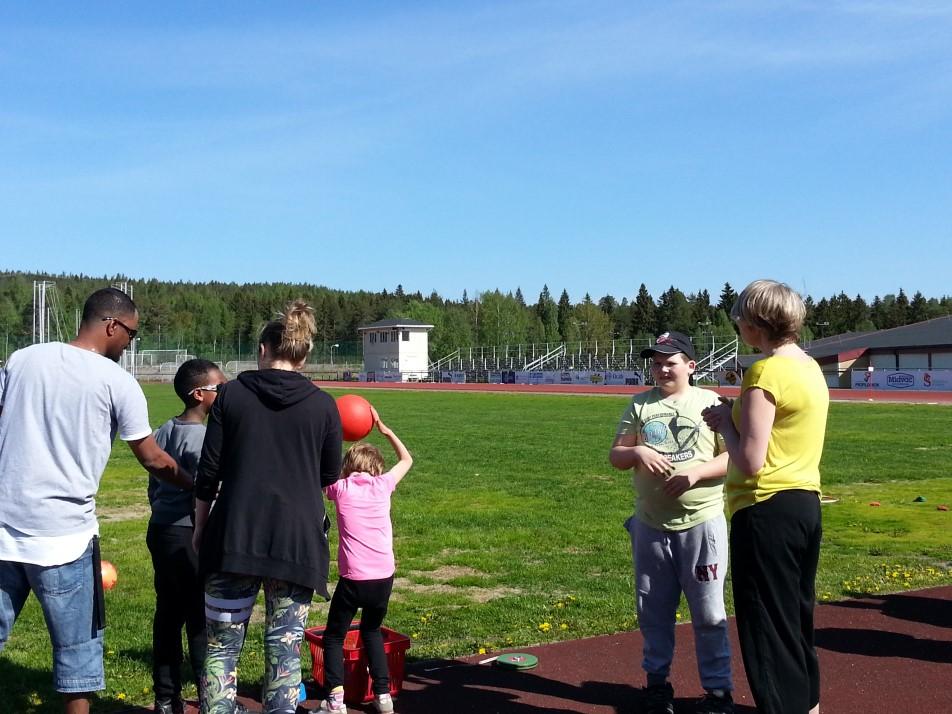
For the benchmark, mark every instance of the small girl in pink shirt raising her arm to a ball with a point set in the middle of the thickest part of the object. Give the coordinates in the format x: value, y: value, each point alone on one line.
x: 366, y: 564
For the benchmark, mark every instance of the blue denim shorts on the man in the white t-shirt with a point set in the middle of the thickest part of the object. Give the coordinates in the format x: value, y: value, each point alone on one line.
x: 66, y: 594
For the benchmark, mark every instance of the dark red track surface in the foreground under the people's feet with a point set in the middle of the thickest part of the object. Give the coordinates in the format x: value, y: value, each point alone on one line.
x: 877, y: 656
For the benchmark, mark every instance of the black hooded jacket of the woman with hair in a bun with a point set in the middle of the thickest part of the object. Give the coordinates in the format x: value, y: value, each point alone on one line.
x: 273, y: 442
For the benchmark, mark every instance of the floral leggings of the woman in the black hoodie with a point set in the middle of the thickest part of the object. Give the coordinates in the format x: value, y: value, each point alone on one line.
x: 229, y: 599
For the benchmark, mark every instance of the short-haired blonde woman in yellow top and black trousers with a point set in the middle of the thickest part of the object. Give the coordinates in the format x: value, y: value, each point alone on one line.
x: 774, y: 435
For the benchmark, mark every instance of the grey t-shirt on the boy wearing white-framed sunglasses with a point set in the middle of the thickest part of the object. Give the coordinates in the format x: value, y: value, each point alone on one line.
x: 182, y: 440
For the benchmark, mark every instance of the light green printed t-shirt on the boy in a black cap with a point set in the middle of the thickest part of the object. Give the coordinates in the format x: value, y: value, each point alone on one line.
x: 674, y: 427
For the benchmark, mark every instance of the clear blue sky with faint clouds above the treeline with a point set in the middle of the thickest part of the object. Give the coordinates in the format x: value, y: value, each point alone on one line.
x: 589, y: 145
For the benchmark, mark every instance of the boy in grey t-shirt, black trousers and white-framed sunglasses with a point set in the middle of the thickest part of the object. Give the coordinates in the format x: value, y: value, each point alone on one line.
x: 179, y: 598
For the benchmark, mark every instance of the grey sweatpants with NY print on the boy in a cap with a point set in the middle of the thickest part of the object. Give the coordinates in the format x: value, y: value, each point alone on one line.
x: 667, y: 563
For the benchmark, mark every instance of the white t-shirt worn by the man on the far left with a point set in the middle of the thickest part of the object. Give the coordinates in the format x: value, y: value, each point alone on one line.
x: 62, y: 408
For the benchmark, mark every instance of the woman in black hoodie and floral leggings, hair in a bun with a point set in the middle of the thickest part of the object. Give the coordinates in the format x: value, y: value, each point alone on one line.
x: 273, y: 442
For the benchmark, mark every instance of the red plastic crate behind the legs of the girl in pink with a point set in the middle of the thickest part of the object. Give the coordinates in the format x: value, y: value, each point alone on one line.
x: 358, y: 687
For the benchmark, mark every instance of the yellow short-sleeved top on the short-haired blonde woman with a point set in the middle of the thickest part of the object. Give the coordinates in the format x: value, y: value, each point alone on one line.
x: 796, y: 438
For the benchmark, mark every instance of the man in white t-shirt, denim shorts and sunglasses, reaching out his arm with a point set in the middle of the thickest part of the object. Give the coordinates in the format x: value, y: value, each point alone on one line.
x: 61, y: 406
